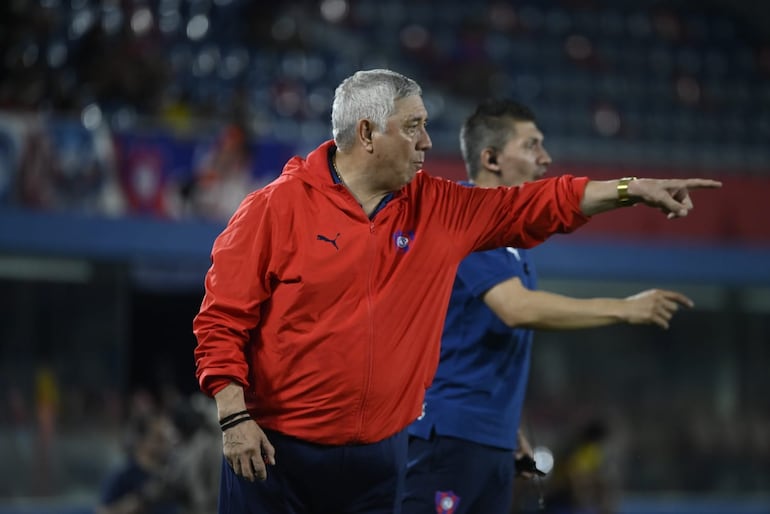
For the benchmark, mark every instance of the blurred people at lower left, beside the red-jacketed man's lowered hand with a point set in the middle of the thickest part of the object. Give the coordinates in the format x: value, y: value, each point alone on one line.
x: 148, y: 451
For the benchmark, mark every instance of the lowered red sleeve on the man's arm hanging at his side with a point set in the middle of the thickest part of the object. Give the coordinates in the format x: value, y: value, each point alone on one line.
x: 237, y: 283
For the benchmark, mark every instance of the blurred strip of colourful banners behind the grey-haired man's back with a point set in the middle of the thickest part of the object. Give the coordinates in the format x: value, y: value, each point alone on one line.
x: 59, y: 165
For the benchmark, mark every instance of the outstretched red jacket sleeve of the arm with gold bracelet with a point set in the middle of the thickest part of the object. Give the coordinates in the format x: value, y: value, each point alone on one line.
x: 523, y: 217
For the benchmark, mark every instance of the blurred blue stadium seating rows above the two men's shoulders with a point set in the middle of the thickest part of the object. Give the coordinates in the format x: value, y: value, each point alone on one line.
x: 611, y: 81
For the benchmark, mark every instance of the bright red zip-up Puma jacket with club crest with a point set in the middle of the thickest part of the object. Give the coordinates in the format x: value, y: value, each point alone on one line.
x: 332, y: 321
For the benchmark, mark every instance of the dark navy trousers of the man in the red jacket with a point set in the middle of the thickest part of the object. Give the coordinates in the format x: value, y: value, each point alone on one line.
x: 310, y: 478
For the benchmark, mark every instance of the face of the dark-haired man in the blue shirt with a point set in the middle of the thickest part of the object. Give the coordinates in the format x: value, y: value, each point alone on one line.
x: 523, y: 159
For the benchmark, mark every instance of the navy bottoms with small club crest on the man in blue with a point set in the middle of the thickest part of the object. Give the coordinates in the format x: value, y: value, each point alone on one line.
x: 446, y: 475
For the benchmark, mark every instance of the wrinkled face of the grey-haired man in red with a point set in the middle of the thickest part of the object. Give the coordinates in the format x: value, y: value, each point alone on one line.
x: 400, y: 147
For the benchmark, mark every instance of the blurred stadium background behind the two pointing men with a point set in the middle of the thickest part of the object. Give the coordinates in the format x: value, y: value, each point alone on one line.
x: 130, y: 129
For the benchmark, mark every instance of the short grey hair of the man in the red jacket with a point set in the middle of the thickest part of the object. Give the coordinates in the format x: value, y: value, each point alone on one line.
x: 367, y: 95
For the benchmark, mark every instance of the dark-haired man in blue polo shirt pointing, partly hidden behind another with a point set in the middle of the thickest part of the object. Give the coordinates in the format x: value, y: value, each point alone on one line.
x: 461, y: 448
